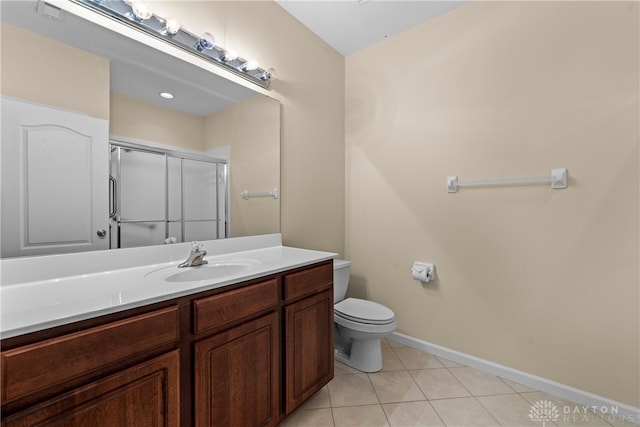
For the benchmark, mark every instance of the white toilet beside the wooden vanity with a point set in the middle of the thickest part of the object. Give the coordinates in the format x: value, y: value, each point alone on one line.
x: 359, y: 325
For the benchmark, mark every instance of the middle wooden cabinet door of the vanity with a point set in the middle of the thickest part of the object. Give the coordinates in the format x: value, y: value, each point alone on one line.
x: 236, y: 376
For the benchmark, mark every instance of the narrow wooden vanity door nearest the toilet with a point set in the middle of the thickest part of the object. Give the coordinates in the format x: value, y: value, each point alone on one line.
x: 308, y: 347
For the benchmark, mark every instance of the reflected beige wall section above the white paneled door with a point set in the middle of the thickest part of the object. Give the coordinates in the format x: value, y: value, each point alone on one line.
x: 52, y: 73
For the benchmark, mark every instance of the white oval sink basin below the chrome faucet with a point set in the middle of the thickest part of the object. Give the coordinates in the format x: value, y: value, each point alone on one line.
x: 212, y: 271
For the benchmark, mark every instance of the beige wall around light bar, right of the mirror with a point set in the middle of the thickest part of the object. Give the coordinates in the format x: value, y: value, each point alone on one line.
x: 310, y: 87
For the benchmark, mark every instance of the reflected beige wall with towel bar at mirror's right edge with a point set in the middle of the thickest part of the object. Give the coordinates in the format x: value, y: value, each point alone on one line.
x: 252, y: 130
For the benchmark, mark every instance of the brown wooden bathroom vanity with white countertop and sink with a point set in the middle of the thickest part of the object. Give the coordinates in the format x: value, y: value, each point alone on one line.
x: 245, y: 349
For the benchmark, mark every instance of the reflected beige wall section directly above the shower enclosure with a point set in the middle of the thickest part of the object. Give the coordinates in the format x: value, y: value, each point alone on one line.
x: 142, y: 120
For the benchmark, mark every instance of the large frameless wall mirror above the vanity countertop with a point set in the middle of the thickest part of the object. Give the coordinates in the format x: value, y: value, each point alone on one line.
x: 61, y: 68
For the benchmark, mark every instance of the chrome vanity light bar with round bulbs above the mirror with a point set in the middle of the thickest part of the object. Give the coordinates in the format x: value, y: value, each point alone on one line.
x: 138, y: 15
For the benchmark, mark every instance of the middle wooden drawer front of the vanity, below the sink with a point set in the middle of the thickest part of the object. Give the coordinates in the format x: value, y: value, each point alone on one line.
x: 218, y: 310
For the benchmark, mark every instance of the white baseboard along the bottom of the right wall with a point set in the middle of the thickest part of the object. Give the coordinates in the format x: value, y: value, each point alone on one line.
x: 625, y: 412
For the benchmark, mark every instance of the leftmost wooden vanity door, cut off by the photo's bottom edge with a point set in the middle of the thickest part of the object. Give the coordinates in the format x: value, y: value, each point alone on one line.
x: 144, y: 395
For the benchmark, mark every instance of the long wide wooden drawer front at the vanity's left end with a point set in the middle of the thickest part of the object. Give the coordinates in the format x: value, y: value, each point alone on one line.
x: 39, y: 366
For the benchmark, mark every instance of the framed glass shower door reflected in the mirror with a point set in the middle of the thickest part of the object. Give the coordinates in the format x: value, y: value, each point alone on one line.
x: 159, y: 197
